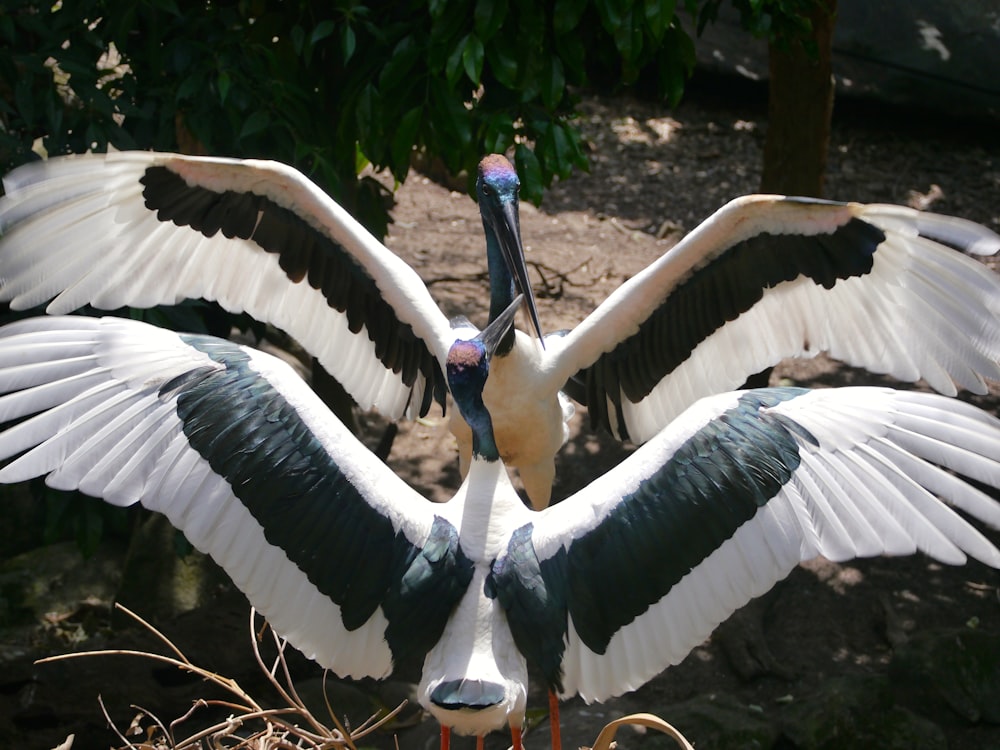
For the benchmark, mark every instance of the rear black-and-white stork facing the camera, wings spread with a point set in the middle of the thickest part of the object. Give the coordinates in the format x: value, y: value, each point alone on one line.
x: 764, y: 278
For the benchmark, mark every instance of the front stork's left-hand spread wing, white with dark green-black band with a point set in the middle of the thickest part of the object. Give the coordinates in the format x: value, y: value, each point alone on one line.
x: 343, y: 558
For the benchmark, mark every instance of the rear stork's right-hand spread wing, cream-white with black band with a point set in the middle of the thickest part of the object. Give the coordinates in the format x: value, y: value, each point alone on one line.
x: 768, y: 277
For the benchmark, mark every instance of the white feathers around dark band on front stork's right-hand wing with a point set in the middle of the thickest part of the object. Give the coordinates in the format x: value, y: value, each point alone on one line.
x: 869, y: 487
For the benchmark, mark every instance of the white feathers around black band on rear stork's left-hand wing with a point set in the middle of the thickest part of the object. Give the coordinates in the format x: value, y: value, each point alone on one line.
x: 76, y: 231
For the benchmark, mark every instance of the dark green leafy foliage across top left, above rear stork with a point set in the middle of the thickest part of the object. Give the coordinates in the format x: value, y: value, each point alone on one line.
x: 327, y: 86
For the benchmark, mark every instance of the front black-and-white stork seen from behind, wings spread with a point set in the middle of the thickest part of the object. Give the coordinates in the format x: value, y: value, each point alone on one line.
x: 599, y: 593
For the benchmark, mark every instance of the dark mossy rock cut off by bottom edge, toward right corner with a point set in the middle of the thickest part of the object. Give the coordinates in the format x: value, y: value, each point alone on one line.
x: 858, y: 713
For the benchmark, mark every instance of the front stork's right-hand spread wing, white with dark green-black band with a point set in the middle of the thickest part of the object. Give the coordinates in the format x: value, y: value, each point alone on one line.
x: 621, y: 580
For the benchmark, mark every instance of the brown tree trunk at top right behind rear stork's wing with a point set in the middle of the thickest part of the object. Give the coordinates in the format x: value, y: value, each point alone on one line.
x: 800, y: 107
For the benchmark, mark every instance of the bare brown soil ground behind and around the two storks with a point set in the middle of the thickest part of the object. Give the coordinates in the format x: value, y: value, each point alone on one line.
x: 655, y: 174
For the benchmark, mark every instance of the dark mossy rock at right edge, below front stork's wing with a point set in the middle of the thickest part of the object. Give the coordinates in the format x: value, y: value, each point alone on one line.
x: 959, y: 668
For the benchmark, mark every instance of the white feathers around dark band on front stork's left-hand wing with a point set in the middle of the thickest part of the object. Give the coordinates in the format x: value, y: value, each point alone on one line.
x: 106, y: 429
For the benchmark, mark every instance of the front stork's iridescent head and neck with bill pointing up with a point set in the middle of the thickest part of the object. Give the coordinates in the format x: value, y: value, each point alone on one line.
x: 468, y: 367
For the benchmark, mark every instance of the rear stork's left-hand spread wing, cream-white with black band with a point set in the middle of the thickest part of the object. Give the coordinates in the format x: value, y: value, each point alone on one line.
x: 141, y: 229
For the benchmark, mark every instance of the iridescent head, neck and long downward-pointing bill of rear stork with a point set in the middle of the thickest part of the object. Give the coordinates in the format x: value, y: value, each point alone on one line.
x: 497, y: 187
